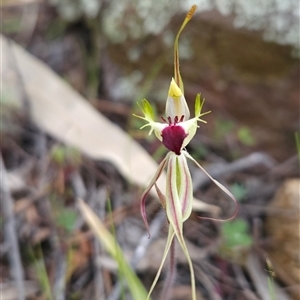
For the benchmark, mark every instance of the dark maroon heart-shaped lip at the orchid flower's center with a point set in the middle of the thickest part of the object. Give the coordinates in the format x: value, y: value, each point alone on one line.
x: 173, y: 135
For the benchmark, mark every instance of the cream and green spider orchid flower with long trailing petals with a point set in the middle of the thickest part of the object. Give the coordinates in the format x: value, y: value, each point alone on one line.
x: 175, y: 132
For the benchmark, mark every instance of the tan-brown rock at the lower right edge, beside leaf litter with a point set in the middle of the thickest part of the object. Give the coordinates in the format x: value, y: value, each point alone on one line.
x: 283, y: 228
